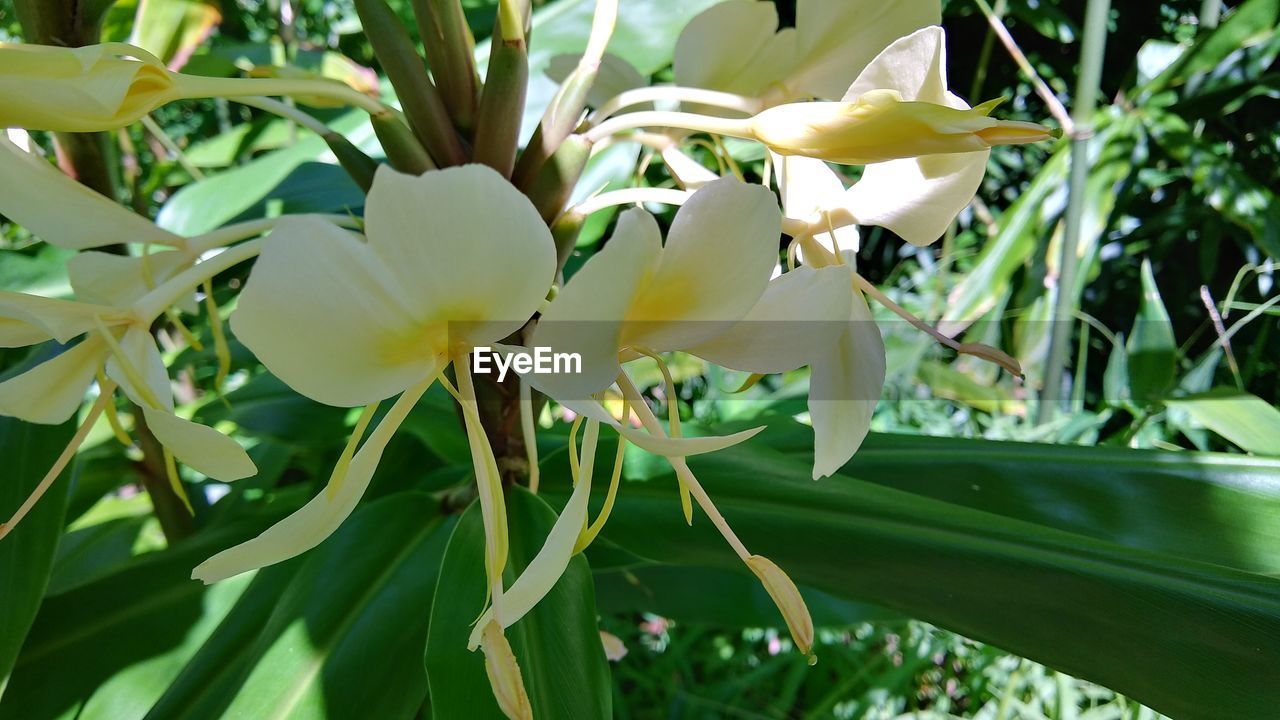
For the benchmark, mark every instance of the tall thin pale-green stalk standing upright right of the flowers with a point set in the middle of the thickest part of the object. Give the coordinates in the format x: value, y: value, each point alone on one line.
x: 1082, y: 121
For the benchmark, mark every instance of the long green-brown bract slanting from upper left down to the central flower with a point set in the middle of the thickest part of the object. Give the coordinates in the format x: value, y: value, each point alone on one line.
x: 417, y: 93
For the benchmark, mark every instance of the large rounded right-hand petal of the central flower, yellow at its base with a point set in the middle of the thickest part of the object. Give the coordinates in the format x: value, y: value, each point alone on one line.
x: 465, y: 245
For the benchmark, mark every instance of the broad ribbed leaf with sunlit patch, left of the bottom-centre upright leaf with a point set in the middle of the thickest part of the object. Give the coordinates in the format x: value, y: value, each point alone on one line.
x: 359, y: 599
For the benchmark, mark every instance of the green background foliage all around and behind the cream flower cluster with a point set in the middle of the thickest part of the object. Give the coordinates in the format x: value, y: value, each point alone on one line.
x: 1174, y: 348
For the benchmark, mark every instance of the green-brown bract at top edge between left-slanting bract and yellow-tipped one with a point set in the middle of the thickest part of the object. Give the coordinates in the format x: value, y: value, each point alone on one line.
x: 451, y: 54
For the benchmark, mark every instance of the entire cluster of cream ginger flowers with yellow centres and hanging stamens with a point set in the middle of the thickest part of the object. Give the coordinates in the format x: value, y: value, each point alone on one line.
x: 355, y: 313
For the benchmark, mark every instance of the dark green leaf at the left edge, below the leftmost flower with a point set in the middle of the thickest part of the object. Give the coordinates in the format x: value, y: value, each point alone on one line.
x: 28, y: 553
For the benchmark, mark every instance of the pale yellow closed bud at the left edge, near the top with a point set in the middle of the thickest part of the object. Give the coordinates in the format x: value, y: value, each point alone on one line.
x: 80, y: 89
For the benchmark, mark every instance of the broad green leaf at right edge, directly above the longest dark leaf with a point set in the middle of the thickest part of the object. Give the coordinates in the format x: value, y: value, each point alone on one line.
x: 1212, y: 508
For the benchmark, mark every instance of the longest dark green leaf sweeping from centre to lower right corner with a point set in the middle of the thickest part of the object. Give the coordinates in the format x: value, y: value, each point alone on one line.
x: 1182, y: 636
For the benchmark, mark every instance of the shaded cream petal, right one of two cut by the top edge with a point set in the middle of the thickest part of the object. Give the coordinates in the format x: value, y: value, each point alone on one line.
x: 839, y: 38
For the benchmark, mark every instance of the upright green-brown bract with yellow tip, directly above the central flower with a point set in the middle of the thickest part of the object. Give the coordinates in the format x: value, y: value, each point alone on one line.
x: 502, y: 104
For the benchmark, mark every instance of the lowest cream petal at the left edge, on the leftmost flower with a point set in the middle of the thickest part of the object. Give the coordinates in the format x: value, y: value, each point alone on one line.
x: 52, y: 393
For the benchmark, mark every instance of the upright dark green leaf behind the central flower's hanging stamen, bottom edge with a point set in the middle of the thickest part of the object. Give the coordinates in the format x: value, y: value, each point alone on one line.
x: 557, y: 644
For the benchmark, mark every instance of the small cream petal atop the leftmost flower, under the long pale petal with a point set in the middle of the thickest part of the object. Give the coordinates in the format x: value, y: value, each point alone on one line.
x: 120, y: 280
